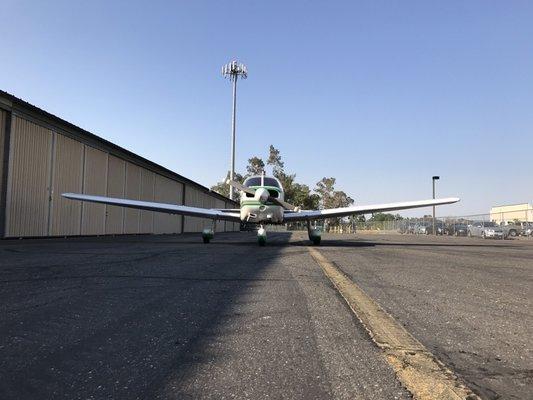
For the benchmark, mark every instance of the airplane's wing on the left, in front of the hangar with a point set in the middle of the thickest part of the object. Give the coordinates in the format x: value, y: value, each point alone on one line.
x: 228, y: 215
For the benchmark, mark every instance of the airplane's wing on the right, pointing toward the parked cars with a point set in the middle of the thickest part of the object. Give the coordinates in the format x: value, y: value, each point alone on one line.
x: 373, y: 208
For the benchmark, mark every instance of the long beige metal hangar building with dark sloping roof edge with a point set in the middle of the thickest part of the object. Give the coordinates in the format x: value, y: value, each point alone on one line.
x: 42, y: 156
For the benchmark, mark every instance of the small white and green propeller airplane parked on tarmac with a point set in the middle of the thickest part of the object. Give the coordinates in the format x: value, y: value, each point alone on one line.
x: 262, y: 201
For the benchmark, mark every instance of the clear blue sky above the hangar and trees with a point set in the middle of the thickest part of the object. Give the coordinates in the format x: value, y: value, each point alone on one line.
x: 380, y: 95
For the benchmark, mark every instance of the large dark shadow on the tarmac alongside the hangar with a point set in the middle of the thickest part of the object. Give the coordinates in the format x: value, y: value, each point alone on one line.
x: 141, y: 328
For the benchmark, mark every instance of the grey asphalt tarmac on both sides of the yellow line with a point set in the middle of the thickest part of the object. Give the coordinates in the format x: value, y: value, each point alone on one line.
x: 167, y: 317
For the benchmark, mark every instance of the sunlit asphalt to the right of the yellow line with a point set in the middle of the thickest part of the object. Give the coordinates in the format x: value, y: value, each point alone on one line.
x: 469, y: 301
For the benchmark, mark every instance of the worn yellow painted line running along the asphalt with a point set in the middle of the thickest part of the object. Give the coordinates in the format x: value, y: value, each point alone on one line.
x: 416, y: 367
